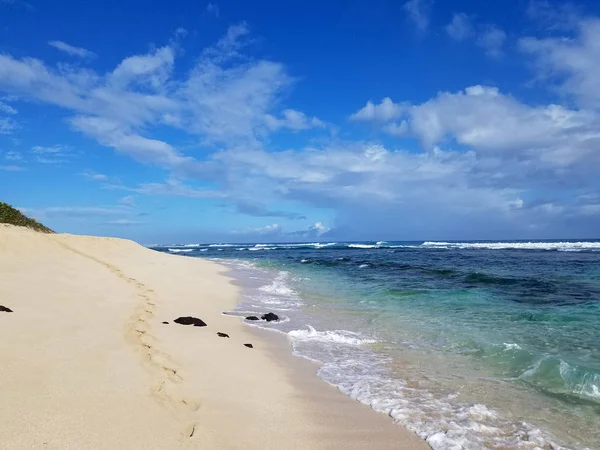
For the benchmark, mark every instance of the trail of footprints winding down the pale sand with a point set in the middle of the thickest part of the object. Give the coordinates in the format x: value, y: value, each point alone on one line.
x: 138, y: 332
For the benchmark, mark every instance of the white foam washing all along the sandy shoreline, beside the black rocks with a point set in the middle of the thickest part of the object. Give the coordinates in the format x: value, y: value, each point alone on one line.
x: 348, y: 362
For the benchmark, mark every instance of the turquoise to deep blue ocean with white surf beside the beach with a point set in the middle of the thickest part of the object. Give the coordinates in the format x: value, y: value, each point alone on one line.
x: 471, y: 345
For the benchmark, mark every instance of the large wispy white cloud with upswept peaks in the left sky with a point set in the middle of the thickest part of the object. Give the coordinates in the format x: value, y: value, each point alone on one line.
x: 226, y: 99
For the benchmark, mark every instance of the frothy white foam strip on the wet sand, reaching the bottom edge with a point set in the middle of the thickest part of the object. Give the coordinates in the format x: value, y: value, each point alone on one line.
x: 442, y: 422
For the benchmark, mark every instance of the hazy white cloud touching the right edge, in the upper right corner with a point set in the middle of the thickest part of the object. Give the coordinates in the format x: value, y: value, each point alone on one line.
x: 573, y: 62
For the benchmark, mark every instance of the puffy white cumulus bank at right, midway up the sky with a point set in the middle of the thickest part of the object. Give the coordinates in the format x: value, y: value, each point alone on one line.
x: 482, y: 118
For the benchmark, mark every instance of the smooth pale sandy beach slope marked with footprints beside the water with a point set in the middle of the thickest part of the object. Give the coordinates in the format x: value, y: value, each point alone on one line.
x: 86, y: 363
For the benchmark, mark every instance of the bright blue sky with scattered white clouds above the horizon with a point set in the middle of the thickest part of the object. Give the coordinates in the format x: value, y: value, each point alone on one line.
x: 266, y: 121
